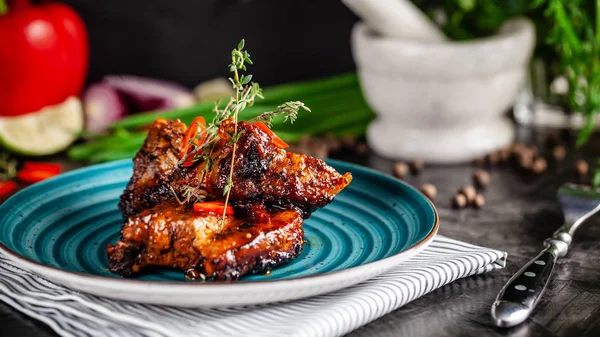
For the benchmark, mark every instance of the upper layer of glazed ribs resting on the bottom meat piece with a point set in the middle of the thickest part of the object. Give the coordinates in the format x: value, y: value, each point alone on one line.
x: 265, y: 177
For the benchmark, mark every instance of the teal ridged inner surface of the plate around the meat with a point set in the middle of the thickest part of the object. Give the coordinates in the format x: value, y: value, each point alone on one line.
x: 67, y: 222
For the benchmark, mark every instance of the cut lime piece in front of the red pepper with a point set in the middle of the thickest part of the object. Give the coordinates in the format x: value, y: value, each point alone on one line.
x: 48, y: 131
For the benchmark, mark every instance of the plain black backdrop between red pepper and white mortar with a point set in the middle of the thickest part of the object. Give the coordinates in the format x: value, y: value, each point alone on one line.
x: 189, y: 41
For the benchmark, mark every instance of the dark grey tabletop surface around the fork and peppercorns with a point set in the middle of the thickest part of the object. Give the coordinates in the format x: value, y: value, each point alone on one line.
x: 521, y: 211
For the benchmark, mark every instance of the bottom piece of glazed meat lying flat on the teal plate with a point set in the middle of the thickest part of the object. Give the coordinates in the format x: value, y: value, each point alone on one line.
x: 171, y: 235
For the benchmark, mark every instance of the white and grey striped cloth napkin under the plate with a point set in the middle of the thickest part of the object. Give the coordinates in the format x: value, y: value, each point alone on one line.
x: 70, y: 313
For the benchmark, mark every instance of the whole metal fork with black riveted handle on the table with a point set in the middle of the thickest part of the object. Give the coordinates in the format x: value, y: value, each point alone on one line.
x: 518, y: 297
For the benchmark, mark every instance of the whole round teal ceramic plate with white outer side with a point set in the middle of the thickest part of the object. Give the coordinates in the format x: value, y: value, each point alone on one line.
x: 60, y: 228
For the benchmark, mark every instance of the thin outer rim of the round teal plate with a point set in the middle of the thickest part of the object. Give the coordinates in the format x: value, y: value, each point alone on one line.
x: 176, y: 286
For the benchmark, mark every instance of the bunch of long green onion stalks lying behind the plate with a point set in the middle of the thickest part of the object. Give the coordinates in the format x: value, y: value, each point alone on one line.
x: 337, y: 106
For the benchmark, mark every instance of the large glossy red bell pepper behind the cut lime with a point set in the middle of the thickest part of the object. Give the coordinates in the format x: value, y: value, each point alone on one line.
x: 43, y: 56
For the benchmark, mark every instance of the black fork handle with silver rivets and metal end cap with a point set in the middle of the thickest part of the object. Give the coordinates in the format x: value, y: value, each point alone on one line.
x: 518, y: 297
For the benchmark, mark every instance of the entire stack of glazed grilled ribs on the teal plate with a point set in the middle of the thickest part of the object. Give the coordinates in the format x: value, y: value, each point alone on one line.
x: 273, y: 191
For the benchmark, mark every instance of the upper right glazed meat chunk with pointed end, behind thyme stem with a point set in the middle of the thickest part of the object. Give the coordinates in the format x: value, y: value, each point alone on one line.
x: 265, y: 177
